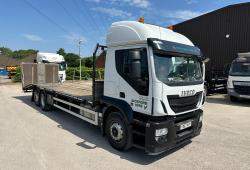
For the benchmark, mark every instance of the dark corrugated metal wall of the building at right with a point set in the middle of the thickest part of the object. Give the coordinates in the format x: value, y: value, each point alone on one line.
x: 209, y: 31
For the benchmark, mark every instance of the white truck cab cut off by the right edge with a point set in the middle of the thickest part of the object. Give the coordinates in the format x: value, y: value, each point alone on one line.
x: 238, y: 85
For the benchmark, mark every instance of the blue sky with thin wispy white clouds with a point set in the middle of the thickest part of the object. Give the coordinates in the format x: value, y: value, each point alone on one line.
x: 47, y: 25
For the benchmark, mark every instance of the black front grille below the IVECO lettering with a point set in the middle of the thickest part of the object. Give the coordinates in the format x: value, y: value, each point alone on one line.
x: 182, y: 104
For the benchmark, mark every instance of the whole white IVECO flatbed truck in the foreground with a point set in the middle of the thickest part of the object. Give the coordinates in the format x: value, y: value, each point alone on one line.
x: 152, y: 92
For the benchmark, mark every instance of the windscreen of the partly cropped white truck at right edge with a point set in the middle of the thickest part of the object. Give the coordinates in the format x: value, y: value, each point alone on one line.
x: 240, y: 67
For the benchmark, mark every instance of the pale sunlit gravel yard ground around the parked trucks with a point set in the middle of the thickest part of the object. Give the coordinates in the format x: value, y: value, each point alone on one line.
x: 33, y: 139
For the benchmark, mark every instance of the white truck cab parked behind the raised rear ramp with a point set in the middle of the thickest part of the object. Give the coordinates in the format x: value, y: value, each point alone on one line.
x: 55, y: 59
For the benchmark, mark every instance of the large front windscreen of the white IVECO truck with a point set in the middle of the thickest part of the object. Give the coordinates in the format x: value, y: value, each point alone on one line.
x: 172, y: 69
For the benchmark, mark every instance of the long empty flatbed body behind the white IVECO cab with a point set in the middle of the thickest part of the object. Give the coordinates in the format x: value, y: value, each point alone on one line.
x: 74, y: 97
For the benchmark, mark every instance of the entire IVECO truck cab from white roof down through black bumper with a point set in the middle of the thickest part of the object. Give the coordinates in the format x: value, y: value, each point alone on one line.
x: 159, y: 74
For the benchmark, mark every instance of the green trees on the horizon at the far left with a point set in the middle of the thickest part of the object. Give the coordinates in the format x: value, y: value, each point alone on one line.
x: 19, y: 54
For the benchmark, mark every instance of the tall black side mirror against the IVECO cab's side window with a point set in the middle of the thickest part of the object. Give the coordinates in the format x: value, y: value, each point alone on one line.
x: 135, y: 66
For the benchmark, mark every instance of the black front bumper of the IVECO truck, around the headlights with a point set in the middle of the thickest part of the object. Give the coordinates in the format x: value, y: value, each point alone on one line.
x: 175, y: 137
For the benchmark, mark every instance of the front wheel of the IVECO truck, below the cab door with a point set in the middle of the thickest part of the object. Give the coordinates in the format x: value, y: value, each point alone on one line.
x: 118, y: 132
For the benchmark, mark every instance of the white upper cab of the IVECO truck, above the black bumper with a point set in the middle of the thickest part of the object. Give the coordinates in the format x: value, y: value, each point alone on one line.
x: 153, y: 66
